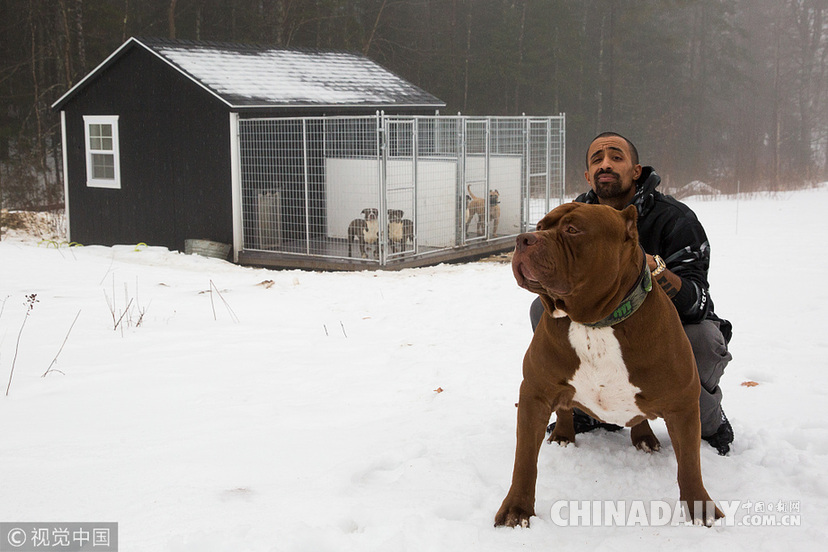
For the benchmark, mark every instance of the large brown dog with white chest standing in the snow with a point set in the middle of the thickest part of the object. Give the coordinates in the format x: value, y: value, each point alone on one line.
x: 610, y: 343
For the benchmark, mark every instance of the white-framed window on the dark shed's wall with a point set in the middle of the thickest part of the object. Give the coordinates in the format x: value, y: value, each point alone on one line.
x: 103, y: 164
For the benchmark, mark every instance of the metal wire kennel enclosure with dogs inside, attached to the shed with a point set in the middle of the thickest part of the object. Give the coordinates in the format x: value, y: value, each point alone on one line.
x: 356, y: 192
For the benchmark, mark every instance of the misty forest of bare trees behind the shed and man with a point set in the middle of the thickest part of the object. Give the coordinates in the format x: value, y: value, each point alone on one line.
x: 733, y: 93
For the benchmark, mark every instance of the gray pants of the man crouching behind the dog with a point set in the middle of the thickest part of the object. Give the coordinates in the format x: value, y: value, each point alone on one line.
x: 711, y: 354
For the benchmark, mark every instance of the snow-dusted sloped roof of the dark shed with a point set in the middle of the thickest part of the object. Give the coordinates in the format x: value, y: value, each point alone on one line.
x: 246, y: 76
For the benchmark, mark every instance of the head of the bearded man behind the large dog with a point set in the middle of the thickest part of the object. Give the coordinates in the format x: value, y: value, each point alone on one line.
x: 611, y: 172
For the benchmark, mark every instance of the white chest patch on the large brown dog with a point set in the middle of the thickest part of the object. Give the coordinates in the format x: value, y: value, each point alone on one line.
x: 602, y: 382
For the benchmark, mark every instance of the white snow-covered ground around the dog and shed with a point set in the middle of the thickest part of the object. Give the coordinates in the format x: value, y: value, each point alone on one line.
x: 290, y: 410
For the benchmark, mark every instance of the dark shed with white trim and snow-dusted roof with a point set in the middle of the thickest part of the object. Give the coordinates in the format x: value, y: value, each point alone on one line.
x: 151, y: 135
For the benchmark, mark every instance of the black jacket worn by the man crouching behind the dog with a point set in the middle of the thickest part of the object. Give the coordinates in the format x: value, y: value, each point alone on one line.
x: 668, y: 228
